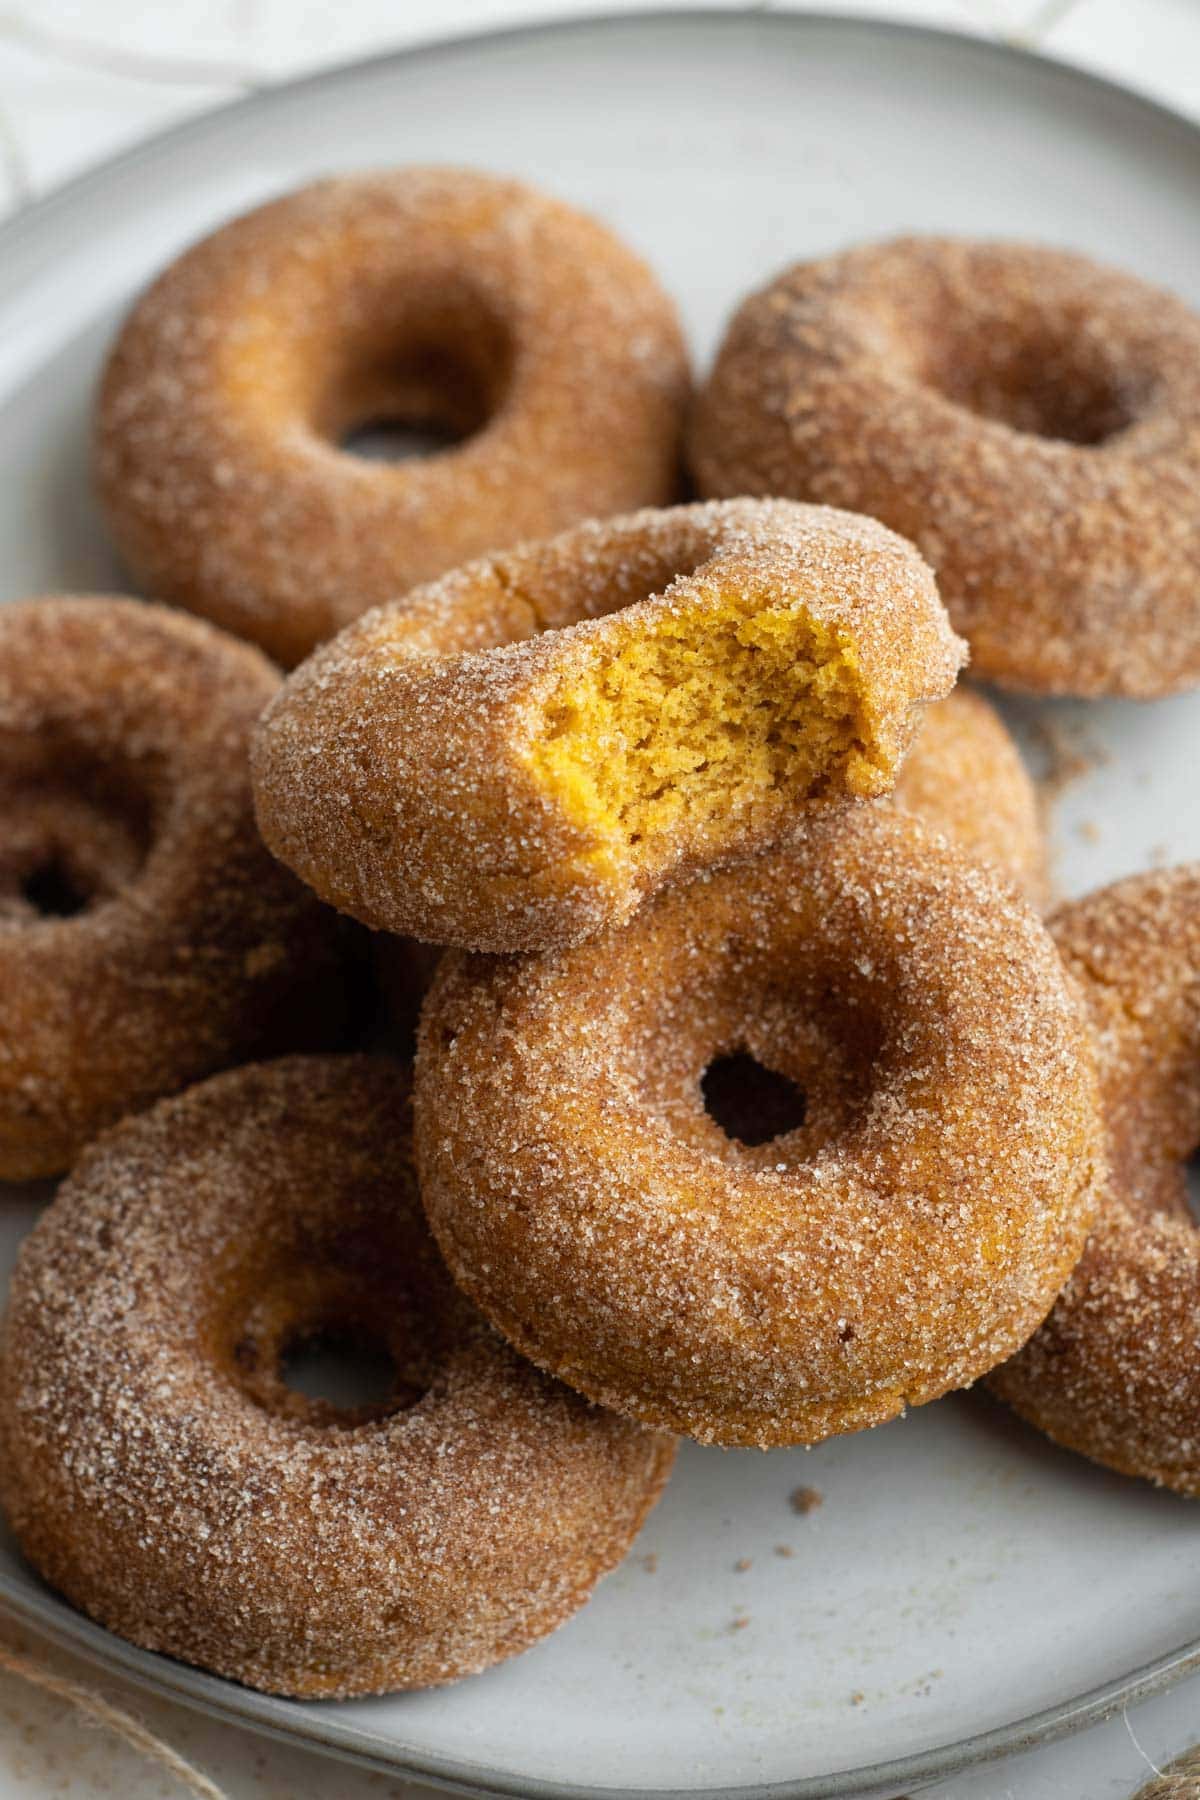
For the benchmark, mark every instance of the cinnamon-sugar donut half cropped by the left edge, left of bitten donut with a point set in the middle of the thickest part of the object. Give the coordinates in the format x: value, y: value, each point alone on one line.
x: 147, y: 935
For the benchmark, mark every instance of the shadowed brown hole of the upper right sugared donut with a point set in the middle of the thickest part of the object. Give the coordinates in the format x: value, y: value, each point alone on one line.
x: 1037, y: 386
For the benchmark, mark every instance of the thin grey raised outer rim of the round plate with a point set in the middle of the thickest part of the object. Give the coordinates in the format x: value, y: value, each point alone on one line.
x: 53, y: 1619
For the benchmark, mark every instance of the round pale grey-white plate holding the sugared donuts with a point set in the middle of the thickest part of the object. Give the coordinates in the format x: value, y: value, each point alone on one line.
x: 965, y: 1588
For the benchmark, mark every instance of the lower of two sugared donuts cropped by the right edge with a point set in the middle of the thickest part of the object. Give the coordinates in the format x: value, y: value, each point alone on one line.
x: 1113, y: 1372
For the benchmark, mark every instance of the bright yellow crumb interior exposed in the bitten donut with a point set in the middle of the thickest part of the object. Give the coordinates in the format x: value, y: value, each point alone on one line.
x: 697, y: 719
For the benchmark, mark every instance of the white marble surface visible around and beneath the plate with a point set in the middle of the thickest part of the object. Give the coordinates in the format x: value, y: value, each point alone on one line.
x: 84, y: 78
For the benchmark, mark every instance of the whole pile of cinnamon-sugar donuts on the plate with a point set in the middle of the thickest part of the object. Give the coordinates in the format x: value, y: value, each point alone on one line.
x: 755, y: 1095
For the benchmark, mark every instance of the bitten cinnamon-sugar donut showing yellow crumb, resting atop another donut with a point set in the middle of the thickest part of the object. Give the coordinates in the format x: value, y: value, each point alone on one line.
x: 523, y: 753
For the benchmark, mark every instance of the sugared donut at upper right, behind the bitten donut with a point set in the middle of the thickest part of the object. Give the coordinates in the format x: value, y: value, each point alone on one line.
x: 1030, y: 418
